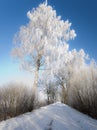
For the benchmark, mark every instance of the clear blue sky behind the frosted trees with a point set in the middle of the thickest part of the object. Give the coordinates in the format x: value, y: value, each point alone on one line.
x: 81, y: 13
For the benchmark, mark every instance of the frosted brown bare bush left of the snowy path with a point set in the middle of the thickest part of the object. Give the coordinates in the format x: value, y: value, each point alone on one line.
x: 15, y: 99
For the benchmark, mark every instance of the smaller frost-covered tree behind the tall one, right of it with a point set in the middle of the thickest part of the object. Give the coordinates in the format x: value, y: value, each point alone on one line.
x: 69, y: 62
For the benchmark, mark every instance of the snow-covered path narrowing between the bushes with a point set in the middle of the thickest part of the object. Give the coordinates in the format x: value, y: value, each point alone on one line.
x: 57, y: 116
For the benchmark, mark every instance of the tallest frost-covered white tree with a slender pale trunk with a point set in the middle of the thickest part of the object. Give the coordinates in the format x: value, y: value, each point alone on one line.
x: 36, y: 44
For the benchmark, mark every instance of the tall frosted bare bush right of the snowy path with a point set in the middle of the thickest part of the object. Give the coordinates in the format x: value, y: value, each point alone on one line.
x: 82, y: 92
